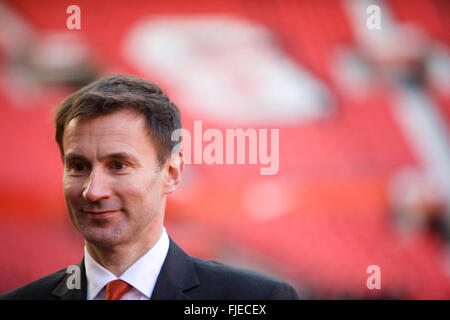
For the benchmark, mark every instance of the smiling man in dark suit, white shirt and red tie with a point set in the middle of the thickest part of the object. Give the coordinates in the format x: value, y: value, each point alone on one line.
x: 115, y: 141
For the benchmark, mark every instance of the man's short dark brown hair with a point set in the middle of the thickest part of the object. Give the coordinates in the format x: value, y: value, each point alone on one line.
x: 110, y: 94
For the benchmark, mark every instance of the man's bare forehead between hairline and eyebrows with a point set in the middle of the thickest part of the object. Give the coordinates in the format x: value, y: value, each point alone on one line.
x: 124, y: 130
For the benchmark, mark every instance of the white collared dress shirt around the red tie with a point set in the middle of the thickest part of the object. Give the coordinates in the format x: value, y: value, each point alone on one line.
x: 142, y: 274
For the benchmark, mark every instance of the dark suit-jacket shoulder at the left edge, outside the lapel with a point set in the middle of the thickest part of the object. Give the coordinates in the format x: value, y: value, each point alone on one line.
x: 40, y: 289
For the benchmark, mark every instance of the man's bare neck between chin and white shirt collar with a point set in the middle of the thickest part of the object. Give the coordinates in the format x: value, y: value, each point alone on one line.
x: 119, y: 258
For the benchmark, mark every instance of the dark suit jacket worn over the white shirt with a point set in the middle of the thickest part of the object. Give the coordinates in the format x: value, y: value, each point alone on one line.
x: 181, y: 277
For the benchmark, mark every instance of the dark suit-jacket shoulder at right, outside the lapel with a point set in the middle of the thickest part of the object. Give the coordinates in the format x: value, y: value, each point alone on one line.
x: 229, y: 282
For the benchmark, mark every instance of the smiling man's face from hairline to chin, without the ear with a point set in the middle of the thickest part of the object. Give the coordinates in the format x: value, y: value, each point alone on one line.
x: 112, y: 182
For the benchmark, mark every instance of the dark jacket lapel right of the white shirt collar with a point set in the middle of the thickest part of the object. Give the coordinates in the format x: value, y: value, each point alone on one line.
x: 177, y: 276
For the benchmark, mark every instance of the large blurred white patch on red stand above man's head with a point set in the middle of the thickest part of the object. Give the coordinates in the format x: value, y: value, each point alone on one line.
x: 227, y: 70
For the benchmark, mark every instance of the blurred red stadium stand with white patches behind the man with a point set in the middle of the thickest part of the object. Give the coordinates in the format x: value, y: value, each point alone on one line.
x: 350, y: 188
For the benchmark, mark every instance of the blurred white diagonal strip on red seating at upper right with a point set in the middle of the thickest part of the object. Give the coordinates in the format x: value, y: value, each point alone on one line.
x: 391, y: 53
